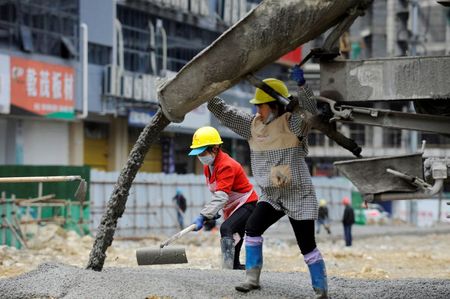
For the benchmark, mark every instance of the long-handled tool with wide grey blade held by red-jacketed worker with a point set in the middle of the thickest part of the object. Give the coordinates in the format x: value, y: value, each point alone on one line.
x: 161, y: 255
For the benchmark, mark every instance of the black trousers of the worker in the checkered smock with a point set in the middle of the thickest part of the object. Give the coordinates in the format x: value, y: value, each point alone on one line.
x: 265, y: 215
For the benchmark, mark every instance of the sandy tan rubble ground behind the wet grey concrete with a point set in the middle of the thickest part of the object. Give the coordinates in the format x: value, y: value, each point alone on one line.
x: 386, y: 257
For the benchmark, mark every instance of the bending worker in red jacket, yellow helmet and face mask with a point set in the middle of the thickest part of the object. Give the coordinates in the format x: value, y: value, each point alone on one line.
x: 231, y: 192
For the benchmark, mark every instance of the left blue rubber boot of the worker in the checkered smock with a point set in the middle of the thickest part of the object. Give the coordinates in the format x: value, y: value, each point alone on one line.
x: 253, y: 264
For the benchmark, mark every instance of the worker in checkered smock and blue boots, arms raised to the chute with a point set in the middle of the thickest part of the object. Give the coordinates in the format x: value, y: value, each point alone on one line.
x: 278, y: 145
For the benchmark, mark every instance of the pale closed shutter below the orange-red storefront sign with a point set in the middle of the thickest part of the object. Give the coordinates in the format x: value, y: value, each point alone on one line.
x: 45, y: 142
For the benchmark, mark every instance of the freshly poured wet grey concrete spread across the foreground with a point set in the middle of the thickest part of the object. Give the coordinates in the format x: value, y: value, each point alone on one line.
x: 56, y: 280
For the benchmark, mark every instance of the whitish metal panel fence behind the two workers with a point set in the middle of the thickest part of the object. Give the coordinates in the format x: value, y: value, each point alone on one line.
x: 150, y: 208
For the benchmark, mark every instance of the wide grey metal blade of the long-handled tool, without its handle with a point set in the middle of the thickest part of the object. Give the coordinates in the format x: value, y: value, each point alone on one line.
x: 160, y: 256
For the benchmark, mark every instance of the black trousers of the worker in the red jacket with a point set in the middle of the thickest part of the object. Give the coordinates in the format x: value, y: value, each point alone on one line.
x: 236, y: 224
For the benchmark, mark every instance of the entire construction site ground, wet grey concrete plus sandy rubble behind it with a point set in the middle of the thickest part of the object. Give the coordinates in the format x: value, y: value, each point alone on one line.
x: 389, y: 261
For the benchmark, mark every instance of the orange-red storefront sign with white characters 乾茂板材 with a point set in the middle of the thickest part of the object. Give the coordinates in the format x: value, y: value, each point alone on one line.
x: 42, y: 89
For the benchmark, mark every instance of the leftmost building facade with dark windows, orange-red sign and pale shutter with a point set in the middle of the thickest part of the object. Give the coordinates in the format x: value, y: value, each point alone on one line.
x: 39, y: 84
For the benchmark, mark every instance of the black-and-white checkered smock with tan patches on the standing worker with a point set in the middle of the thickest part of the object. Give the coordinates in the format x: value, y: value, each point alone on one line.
x: 278, y: 151
